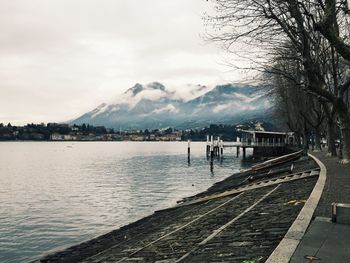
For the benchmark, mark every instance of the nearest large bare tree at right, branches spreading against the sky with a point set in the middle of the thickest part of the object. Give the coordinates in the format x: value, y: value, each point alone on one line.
x: 269, y: 23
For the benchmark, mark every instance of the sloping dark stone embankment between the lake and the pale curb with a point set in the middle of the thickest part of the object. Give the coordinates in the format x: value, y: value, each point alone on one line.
x: 236, y: 220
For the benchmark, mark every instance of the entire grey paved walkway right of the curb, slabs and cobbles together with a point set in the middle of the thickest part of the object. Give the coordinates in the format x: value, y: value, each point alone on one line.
x: 325, y: 241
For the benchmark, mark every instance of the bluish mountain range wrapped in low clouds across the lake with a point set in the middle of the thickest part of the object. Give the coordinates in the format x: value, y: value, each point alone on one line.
x: 155, y: 106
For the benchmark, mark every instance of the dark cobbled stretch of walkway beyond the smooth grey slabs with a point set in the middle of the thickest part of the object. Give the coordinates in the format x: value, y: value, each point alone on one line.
x: 337, y: 188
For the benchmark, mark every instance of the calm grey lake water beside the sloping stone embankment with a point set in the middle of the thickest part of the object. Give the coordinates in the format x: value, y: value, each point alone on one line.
x: 53, y: 195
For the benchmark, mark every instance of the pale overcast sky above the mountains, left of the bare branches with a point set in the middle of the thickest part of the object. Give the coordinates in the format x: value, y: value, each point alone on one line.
x: 61, y: 58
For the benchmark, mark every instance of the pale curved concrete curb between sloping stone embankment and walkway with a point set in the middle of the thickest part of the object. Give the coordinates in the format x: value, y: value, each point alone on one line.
x: 286, y: 248
